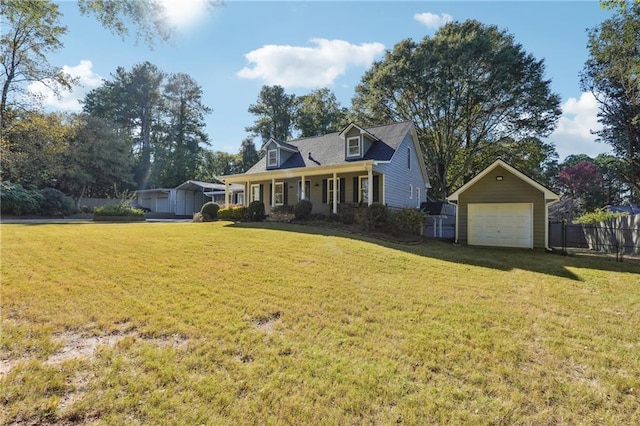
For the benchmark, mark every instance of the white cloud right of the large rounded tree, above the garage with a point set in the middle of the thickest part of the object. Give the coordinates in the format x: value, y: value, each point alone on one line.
x: 573, y: 134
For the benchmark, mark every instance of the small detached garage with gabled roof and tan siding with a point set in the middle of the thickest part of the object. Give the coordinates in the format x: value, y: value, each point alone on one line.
x: 503, y: 207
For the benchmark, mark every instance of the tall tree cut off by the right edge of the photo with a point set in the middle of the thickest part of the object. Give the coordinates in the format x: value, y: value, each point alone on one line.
x: 612, y: 74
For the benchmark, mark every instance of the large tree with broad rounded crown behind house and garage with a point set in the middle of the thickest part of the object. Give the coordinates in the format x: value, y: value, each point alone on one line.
x: 465, y: 88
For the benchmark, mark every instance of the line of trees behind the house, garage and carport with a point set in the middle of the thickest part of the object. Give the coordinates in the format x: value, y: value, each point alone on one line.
x: 473, y: 93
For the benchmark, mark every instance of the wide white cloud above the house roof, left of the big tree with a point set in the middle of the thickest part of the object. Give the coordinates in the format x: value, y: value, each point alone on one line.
x: 308, y: 67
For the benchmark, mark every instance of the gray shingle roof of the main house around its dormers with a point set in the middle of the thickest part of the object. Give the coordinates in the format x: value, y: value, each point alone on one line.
x: 330, y: 150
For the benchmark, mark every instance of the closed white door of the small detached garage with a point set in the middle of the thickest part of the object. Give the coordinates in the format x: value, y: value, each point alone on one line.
x: 501, y: 225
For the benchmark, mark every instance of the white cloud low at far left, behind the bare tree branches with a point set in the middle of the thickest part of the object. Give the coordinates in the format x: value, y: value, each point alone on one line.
x: 68, y: 99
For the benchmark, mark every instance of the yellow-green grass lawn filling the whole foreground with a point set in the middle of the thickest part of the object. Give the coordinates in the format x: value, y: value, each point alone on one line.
x: 214, y: 323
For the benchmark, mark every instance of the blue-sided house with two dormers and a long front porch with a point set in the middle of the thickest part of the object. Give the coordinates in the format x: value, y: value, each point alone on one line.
x: 357, y: 166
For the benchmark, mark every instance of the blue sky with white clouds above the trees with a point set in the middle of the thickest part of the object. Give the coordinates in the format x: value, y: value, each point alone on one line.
x: 235, y: 49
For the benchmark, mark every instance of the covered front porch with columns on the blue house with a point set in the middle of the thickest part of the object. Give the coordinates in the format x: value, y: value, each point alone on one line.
x: 326, y: 189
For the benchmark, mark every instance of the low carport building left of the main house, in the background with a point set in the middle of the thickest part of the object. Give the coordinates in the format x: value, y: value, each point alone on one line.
x: 187, y: 198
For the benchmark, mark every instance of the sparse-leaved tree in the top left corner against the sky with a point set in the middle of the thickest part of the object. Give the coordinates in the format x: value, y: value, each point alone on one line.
x: 30, y: 30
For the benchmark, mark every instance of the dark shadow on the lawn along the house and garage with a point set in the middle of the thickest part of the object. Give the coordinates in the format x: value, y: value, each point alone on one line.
x: 494, y: 258
